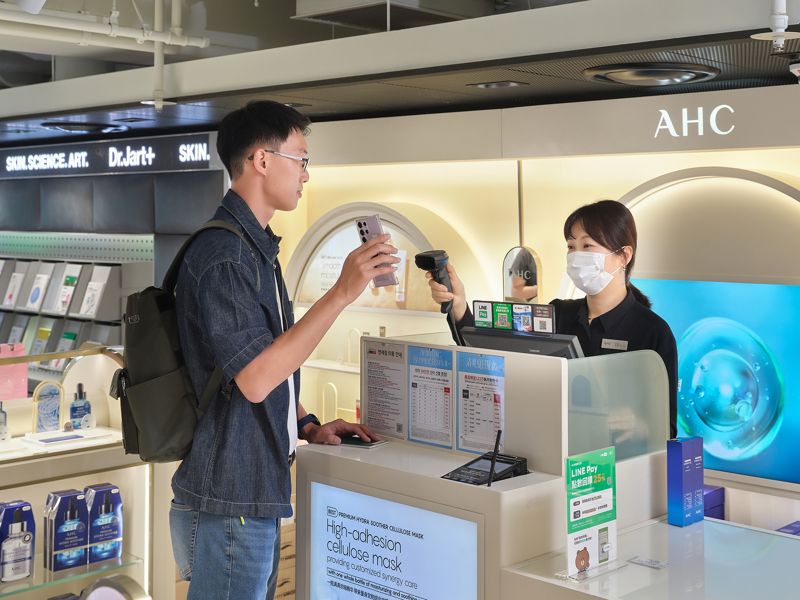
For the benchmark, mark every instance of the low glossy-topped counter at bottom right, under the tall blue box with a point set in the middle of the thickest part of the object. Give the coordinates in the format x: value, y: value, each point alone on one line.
x: 709, y: 559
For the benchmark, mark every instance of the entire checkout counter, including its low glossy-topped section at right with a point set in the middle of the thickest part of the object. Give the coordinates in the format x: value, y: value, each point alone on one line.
x: 382, y: 523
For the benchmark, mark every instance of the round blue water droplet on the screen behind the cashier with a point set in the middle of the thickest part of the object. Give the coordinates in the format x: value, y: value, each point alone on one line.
x: 735, y: 411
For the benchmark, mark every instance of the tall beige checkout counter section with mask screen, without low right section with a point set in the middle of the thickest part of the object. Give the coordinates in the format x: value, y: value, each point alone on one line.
x: 383, y: 523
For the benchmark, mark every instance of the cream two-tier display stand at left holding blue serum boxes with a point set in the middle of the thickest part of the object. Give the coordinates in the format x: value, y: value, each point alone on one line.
x: 34, y: 464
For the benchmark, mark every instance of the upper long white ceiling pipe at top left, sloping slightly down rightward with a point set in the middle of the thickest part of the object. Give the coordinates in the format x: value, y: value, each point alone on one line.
x: 14, y: 15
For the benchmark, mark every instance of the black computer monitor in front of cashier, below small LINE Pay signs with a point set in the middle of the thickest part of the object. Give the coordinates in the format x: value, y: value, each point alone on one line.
x: 548, y: 344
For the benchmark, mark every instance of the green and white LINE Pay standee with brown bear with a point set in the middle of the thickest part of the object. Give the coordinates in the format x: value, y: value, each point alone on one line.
x: 591, y: 510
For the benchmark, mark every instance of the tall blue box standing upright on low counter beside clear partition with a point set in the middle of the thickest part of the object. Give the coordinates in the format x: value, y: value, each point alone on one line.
x: 684, y: 481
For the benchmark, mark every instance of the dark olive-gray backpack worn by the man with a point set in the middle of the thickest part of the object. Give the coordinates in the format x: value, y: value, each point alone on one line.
x: 160, y: 410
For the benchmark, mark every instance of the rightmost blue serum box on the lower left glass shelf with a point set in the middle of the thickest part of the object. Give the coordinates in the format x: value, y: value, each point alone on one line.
x: 105, y: 521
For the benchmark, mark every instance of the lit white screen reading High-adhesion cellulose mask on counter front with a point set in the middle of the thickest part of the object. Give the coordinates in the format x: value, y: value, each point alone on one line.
x: 367, y: 547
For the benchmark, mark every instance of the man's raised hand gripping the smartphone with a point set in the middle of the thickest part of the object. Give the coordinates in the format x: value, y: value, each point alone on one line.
x: 374, y: 257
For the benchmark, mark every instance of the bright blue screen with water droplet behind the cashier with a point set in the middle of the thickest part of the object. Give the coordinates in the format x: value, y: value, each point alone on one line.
x: 738, y: 376
